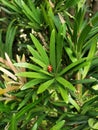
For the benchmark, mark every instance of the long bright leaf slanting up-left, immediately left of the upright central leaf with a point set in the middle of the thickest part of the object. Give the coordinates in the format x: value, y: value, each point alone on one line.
x: 40, y: 49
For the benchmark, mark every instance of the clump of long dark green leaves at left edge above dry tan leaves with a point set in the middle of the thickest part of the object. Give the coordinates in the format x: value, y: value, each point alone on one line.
x: 6, y: 40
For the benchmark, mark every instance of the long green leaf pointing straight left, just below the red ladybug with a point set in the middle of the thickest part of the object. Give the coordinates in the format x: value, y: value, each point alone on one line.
x: 33, y: 75
